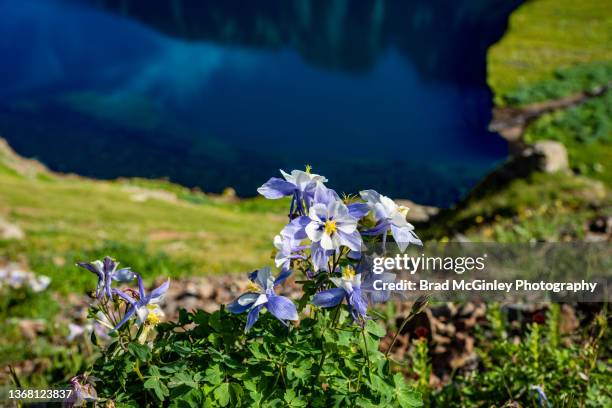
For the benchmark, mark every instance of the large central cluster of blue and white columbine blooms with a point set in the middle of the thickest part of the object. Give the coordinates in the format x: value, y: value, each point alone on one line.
x: 325, y: 239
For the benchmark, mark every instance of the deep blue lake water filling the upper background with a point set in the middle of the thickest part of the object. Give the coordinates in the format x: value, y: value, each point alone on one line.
x: 377, y: 94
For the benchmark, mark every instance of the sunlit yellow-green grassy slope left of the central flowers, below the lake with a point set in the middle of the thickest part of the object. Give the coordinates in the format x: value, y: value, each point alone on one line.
x: 154, y: 226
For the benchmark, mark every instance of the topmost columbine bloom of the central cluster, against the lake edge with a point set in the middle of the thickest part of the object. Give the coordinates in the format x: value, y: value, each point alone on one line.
x: 299, y: 184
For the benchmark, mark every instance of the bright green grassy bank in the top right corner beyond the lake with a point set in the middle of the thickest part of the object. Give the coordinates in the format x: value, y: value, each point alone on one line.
x: 545, y: 36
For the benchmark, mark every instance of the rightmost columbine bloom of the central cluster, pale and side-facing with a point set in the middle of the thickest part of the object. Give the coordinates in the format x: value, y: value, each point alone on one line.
x: 390, y: 216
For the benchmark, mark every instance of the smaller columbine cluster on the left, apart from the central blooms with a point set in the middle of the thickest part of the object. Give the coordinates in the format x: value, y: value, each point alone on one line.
x: 115, y: 307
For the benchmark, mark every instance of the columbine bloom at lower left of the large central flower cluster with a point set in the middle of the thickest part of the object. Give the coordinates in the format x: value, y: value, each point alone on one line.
x: 260, y: 293
